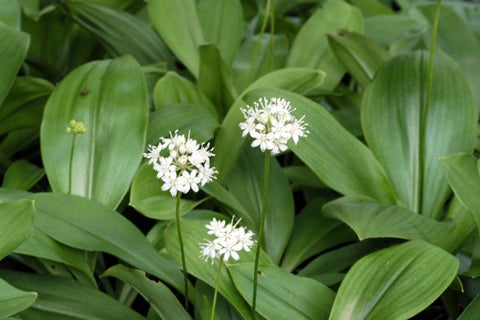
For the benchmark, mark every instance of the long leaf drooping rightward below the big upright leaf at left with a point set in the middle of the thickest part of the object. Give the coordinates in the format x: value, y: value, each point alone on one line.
x: 91, y: 226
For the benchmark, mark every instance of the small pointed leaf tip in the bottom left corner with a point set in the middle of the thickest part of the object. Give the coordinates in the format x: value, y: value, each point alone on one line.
x: 13, y: 300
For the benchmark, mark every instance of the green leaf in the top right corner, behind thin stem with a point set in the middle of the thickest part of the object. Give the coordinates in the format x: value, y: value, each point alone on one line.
x: 459, y: 42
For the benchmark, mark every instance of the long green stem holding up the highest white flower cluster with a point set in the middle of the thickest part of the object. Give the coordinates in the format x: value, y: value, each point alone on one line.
x: 260, y: 230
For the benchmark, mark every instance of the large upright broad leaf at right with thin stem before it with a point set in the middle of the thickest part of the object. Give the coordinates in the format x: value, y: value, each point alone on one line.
x: 407, y: 137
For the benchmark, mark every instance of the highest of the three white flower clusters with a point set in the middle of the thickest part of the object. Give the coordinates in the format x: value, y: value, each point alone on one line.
x: 271, y: 124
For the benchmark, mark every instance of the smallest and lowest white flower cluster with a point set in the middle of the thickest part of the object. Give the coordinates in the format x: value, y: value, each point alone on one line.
x: 229, y: 240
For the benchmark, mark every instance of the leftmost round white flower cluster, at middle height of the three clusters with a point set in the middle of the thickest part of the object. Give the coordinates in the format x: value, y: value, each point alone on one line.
x: 186, y: 166
